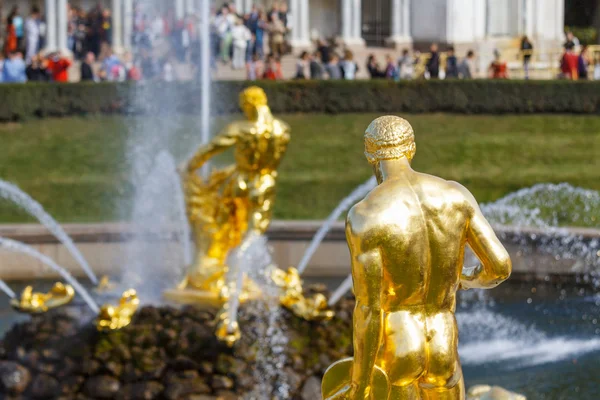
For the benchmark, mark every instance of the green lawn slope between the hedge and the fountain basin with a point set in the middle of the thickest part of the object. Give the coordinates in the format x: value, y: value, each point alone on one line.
x: 78, y: 169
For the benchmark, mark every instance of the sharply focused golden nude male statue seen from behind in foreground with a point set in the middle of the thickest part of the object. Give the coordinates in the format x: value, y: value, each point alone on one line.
x: 407, y: 242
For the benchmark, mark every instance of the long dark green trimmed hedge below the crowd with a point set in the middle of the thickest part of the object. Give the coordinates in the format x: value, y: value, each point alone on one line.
x: 20, y: 102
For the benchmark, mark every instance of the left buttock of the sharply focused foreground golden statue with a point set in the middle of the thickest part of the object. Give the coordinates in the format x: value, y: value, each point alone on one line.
x: 403, y: 356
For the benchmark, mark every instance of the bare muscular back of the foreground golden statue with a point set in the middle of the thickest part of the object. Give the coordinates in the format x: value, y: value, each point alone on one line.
x: 418, y: 224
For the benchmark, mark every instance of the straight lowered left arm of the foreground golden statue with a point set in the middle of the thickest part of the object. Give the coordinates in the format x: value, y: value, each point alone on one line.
x: 368, y: 315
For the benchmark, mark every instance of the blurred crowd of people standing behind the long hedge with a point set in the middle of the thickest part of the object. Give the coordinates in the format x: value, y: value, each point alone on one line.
x: 255, y: 41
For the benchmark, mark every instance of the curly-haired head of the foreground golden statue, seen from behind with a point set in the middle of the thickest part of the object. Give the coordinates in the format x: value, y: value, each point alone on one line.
x: 389, y: 138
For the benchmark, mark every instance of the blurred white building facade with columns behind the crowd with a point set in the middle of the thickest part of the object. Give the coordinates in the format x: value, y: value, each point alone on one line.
x: 399, y: 23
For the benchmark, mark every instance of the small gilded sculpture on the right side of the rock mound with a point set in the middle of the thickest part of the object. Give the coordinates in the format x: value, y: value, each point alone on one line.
x: 309, y: 308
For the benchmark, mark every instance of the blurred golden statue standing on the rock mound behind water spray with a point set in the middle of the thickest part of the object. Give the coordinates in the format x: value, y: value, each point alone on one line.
x: 237, y: 200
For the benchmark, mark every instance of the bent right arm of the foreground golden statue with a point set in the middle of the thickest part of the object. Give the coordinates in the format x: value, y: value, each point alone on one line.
x: 495, y: 265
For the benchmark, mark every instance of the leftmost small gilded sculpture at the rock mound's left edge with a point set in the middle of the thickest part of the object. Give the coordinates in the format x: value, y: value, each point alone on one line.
x: 35, y: 303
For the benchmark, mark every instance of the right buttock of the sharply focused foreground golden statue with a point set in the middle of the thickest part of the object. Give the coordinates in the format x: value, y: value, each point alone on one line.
x: 443, y: 366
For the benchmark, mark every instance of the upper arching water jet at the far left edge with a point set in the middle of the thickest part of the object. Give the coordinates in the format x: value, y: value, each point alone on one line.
x: 12, y: 193
